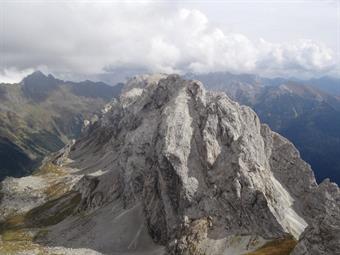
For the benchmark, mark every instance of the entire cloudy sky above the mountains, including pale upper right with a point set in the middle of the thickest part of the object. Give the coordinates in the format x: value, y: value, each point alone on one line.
x: 71, y: 38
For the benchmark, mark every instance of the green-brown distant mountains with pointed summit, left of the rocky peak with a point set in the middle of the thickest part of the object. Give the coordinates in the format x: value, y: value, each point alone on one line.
x: 40, y: 114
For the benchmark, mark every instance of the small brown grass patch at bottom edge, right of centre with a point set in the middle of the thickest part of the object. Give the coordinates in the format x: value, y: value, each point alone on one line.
x: 276, y: 247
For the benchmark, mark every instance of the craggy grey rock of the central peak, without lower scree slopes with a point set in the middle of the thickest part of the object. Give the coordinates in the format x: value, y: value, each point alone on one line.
x: 188, y: 154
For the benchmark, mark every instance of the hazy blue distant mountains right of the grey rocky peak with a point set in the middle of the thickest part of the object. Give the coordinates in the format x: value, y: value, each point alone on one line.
x: 306, y: 112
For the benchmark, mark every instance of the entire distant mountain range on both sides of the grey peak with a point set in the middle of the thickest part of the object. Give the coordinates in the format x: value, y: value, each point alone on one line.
x: 41, y: 113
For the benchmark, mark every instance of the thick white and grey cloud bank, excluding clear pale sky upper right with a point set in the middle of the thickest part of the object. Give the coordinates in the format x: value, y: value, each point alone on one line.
x: 91, y: 38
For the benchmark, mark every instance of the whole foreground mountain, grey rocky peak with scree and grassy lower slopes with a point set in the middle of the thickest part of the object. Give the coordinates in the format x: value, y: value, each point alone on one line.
x: 173, y: 169
